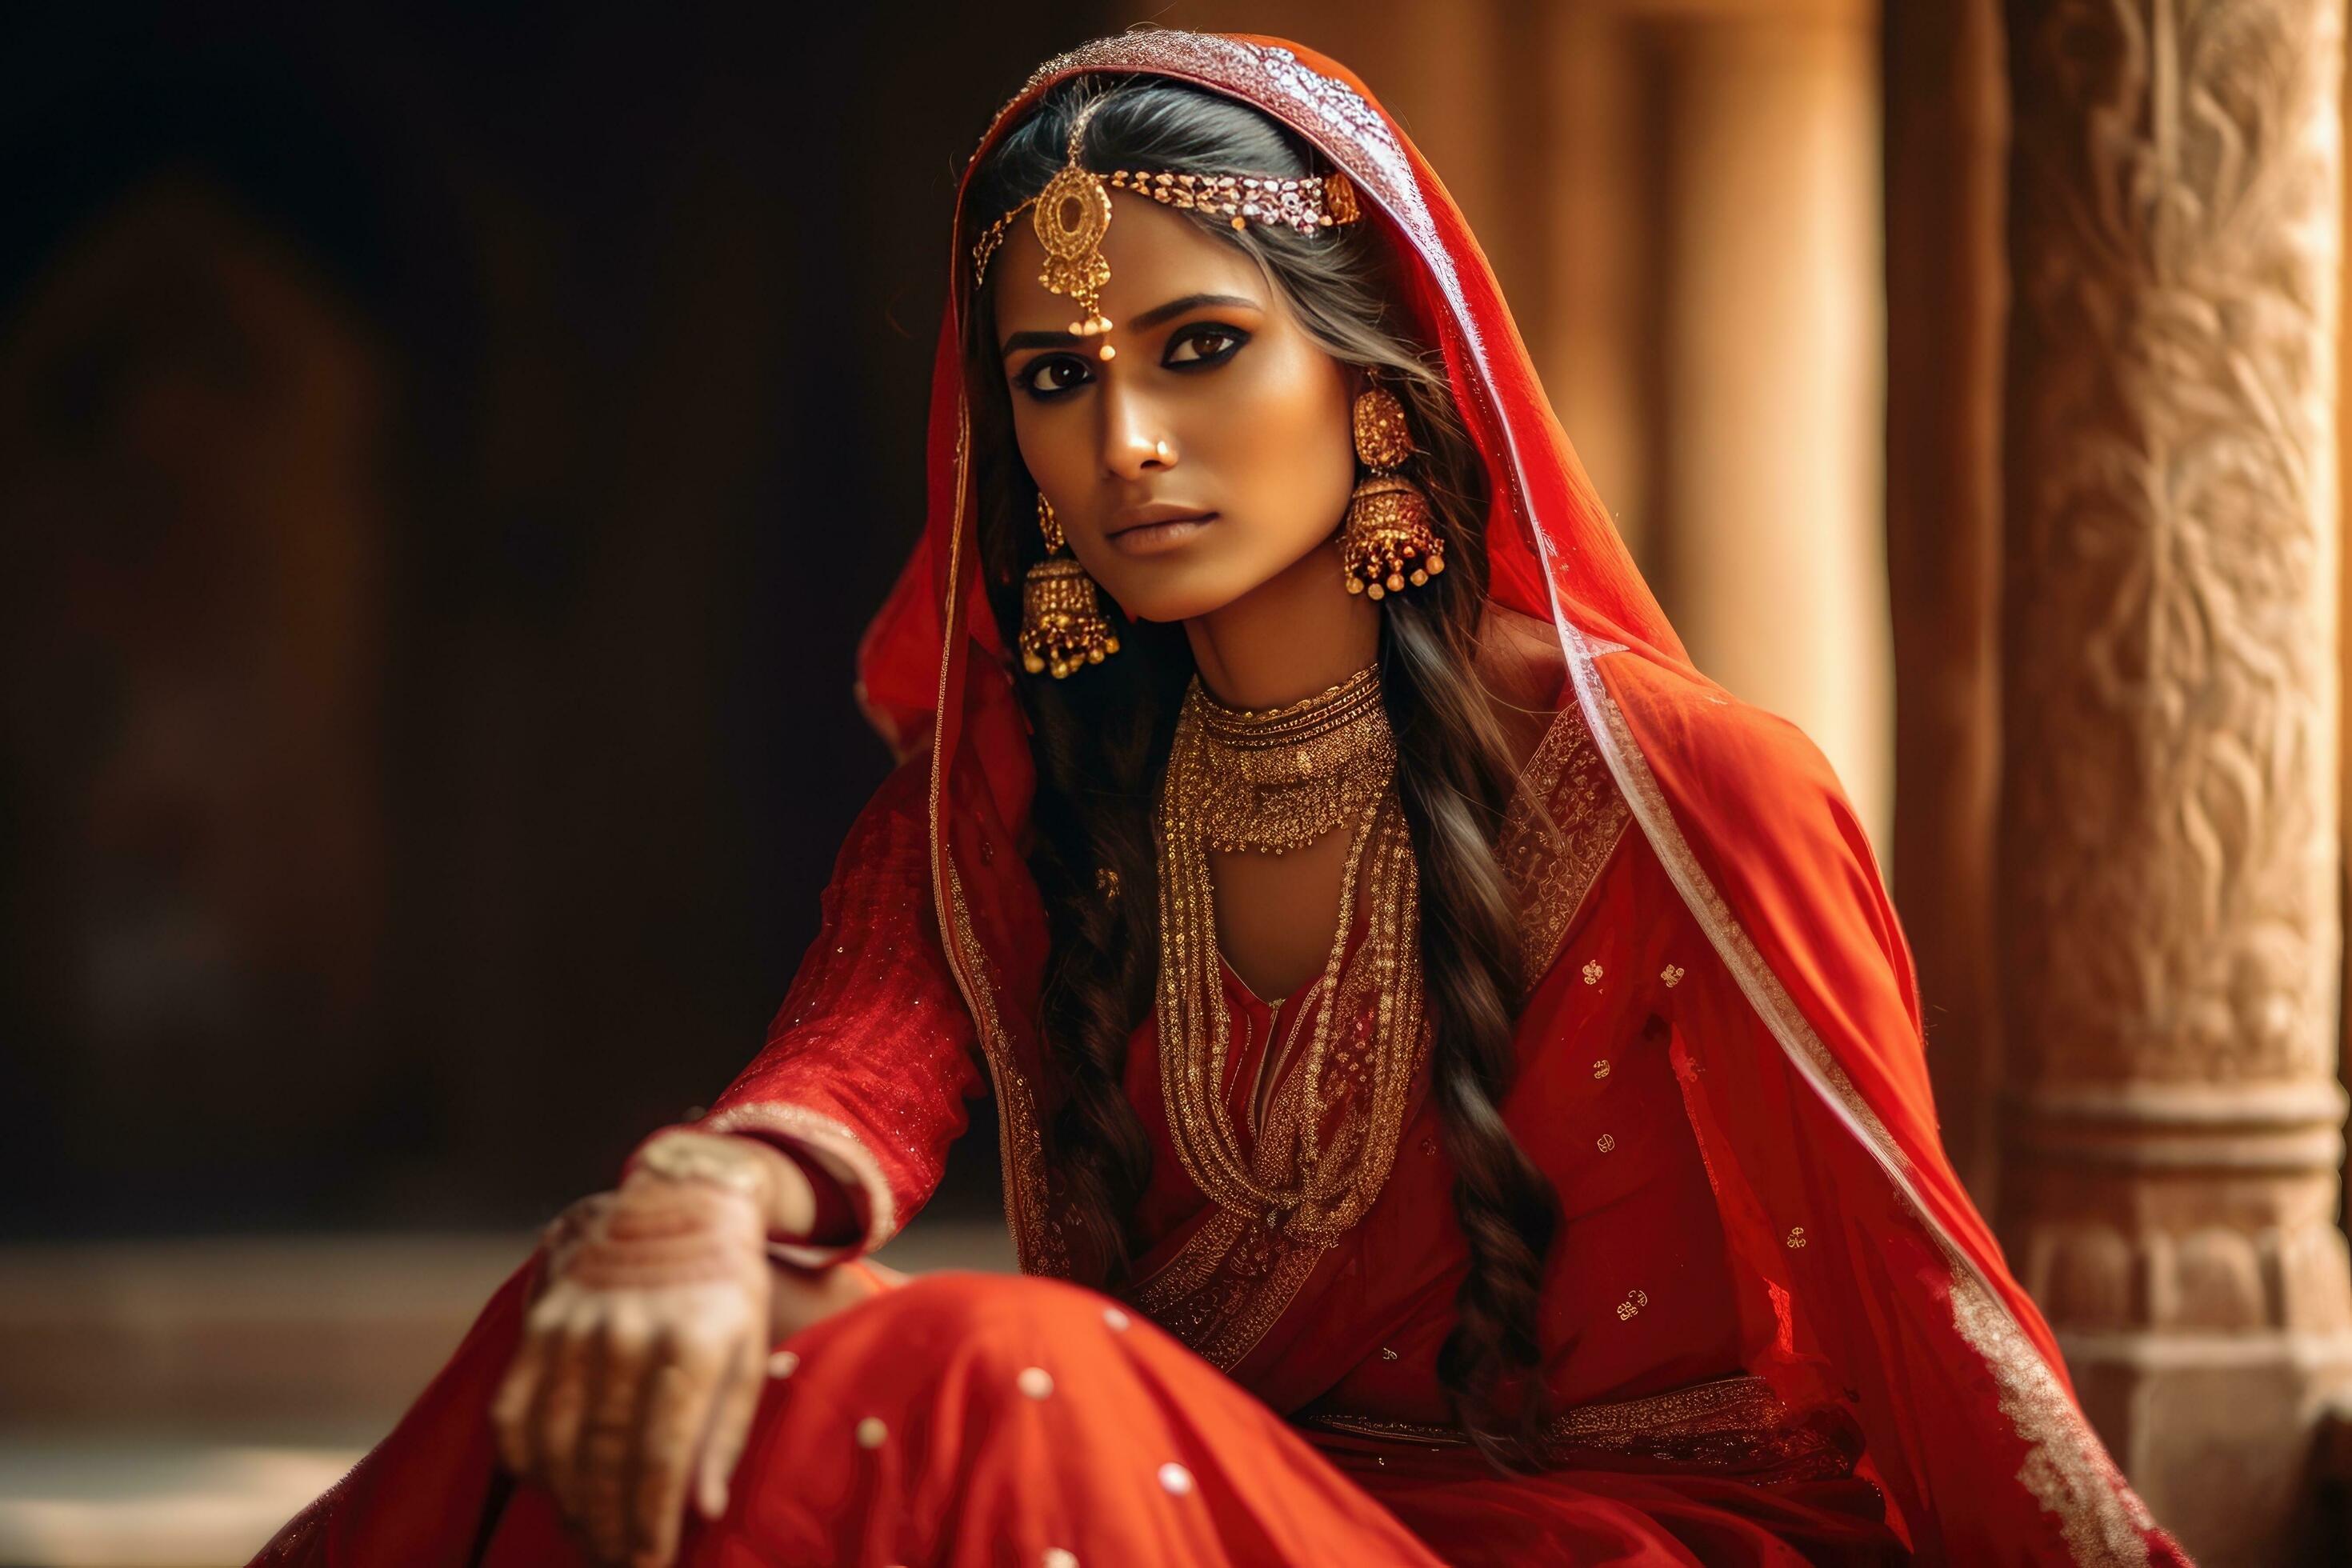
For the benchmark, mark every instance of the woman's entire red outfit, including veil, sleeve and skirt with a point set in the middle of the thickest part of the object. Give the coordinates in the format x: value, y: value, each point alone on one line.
x: 1775, y: 1325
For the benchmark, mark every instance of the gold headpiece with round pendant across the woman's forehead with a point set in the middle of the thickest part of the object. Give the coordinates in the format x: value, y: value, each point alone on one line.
x: 1074, y: 215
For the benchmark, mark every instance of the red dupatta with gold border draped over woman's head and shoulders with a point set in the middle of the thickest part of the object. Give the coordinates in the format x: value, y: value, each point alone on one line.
x: 1878, y: 1280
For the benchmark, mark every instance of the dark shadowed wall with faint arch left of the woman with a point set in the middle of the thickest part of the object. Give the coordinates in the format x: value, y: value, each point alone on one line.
x: 446, y: 462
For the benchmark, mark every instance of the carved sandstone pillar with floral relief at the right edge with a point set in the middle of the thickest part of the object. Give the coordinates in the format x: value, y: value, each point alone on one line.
x: 2170, y: 845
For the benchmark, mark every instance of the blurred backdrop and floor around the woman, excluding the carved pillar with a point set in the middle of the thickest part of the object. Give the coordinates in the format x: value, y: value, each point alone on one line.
x: 448, y: 457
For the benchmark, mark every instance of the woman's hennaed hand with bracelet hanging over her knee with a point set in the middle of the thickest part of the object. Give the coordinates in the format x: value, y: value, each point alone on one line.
x: 643, y: 1362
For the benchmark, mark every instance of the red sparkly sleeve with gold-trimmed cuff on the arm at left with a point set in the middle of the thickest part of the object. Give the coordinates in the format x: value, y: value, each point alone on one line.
x: 874, y: 1054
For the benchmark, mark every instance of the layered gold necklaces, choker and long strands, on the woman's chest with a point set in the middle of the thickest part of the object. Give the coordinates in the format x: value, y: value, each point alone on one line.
x: 1276, y: 782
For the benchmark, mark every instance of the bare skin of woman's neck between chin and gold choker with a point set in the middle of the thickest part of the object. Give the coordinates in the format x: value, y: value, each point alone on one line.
x: 1290, y: 638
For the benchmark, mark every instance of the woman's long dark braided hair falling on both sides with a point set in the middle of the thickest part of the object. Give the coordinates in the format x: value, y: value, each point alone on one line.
x: 1104, y: 737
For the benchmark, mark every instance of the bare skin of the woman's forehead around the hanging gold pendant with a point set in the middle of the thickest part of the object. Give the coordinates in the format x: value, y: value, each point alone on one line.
x: 1156, y: 255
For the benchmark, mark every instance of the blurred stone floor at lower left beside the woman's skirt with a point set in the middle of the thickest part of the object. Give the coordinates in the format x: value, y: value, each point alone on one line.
x: 171, y: 1405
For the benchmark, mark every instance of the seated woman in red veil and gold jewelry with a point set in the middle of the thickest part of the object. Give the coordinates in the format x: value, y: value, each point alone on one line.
x: 1459, y: 1071
